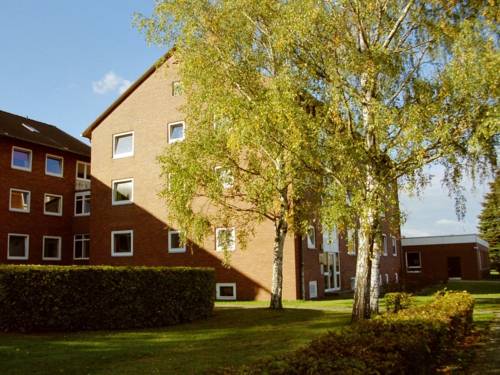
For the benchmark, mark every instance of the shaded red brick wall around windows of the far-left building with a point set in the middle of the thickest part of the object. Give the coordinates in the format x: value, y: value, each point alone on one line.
x: 35, y: 223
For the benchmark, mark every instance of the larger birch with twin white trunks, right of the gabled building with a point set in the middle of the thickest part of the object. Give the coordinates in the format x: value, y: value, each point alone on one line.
x: 402, y: 85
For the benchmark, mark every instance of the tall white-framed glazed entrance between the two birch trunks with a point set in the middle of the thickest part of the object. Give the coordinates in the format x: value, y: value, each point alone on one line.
x: 330, y: 260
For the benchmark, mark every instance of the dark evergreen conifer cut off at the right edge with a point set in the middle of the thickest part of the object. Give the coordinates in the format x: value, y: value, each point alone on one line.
x: 489, y: 221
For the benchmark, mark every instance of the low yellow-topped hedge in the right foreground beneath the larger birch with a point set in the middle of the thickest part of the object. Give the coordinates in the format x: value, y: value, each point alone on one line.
x: 412, y: 341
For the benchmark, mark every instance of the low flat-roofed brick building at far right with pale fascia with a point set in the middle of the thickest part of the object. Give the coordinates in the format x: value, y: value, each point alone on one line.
x: 431, y: 260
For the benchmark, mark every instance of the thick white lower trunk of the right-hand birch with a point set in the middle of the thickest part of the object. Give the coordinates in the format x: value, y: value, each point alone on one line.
x: 361, y: 306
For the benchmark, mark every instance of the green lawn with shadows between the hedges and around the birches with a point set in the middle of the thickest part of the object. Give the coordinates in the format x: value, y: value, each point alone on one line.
x: 239, y: 332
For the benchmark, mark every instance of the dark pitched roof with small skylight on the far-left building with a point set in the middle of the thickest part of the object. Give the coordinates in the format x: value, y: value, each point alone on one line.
x: 22, y: 128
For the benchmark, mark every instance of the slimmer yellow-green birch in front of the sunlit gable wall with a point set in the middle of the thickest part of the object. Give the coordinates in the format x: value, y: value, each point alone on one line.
x: 246, y: 133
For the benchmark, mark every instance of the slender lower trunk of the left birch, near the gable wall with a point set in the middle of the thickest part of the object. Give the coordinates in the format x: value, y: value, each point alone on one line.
x: 281, y: 228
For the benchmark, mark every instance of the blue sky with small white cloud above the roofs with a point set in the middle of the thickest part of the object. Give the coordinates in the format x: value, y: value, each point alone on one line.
x: 64, y: 62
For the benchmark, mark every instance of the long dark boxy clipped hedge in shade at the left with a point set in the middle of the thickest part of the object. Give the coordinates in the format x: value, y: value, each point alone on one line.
x: 67, y: 298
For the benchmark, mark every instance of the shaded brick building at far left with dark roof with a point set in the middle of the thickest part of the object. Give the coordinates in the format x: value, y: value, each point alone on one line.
x: 44, y: 194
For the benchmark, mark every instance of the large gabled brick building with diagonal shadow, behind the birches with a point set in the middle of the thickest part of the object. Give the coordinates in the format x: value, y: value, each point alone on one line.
x: 128, y: 225
